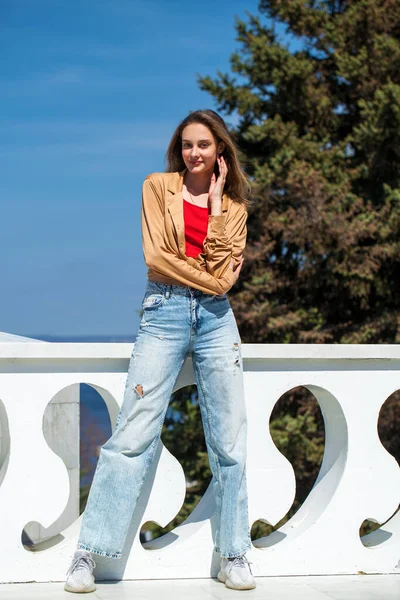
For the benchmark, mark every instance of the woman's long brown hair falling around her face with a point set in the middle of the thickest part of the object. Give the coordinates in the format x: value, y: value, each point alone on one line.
x: 237, y: 184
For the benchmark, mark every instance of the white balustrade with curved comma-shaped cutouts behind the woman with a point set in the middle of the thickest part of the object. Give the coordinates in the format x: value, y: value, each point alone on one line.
x: 358, y: 479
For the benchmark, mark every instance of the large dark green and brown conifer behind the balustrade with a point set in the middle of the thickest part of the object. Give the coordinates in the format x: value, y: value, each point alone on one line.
x: 319, y: 132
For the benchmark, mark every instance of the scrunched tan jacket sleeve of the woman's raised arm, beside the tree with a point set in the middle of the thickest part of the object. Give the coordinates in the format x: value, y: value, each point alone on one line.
x: 226, y: 239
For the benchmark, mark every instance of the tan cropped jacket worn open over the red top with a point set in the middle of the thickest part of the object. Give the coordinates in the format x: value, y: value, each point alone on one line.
x: 163, y: 236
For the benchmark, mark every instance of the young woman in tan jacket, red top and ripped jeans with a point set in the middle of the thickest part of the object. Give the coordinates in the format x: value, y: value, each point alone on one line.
x: 194, y: 233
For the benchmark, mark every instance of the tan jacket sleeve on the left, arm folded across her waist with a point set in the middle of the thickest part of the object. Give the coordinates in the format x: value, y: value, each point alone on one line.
x: 163, y: 259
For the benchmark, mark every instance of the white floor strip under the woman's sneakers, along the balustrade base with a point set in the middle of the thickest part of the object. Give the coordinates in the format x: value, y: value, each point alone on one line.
x: 372, y: 587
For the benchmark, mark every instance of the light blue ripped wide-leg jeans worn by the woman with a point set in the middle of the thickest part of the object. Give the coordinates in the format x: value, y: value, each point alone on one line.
x: 177, y: 321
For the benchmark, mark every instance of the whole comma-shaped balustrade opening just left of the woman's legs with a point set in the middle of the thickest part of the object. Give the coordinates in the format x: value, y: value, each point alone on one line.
x: 75, y: 423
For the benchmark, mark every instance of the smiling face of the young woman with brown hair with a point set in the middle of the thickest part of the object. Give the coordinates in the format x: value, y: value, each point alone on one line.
x: 199, y: 149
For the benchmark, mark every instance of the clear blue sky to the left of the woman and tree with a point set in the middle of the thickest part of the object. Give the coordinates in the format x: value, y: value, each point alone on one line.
x: 91, y: 93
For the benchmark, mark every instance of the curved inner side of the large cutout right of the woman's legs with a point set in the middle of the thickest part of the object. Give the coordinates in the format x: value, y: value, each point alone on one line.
x: 329, y: 476
